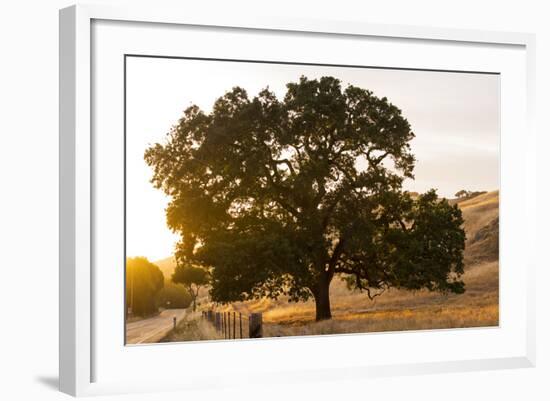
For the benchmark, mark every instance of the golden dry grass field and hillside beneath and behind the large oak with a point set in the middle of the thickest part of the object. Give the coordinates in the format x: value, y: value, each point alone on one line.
x: 397, y: 310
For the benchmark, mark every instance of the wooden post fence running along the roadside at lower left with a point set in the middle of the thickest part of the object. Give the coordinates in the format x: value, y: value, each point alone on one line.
x: 231, y: 324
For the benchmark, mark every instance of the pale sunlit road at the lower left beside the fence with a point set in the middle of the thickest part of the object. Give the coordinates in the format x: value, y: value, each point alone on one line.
x: 151, y: 330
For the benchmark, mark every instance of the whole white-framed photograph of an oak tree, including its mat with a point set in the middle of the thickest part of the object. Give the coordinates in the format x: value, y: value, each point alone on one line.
x: 308, y: 193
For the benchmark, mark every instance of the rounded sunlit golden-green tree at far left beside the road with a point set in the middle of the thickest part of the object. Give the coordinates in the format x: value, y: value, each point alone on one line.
x: 143, y: 282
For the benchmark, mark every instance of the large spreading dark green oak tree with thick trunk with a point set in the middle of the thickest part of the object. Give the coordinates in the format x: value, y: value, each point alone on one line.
x: 280, y: 196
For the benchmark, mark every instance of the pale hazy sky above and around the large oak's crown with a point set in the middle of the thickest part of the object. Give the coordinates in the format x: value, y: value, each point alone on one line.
x: 455, y: 117
